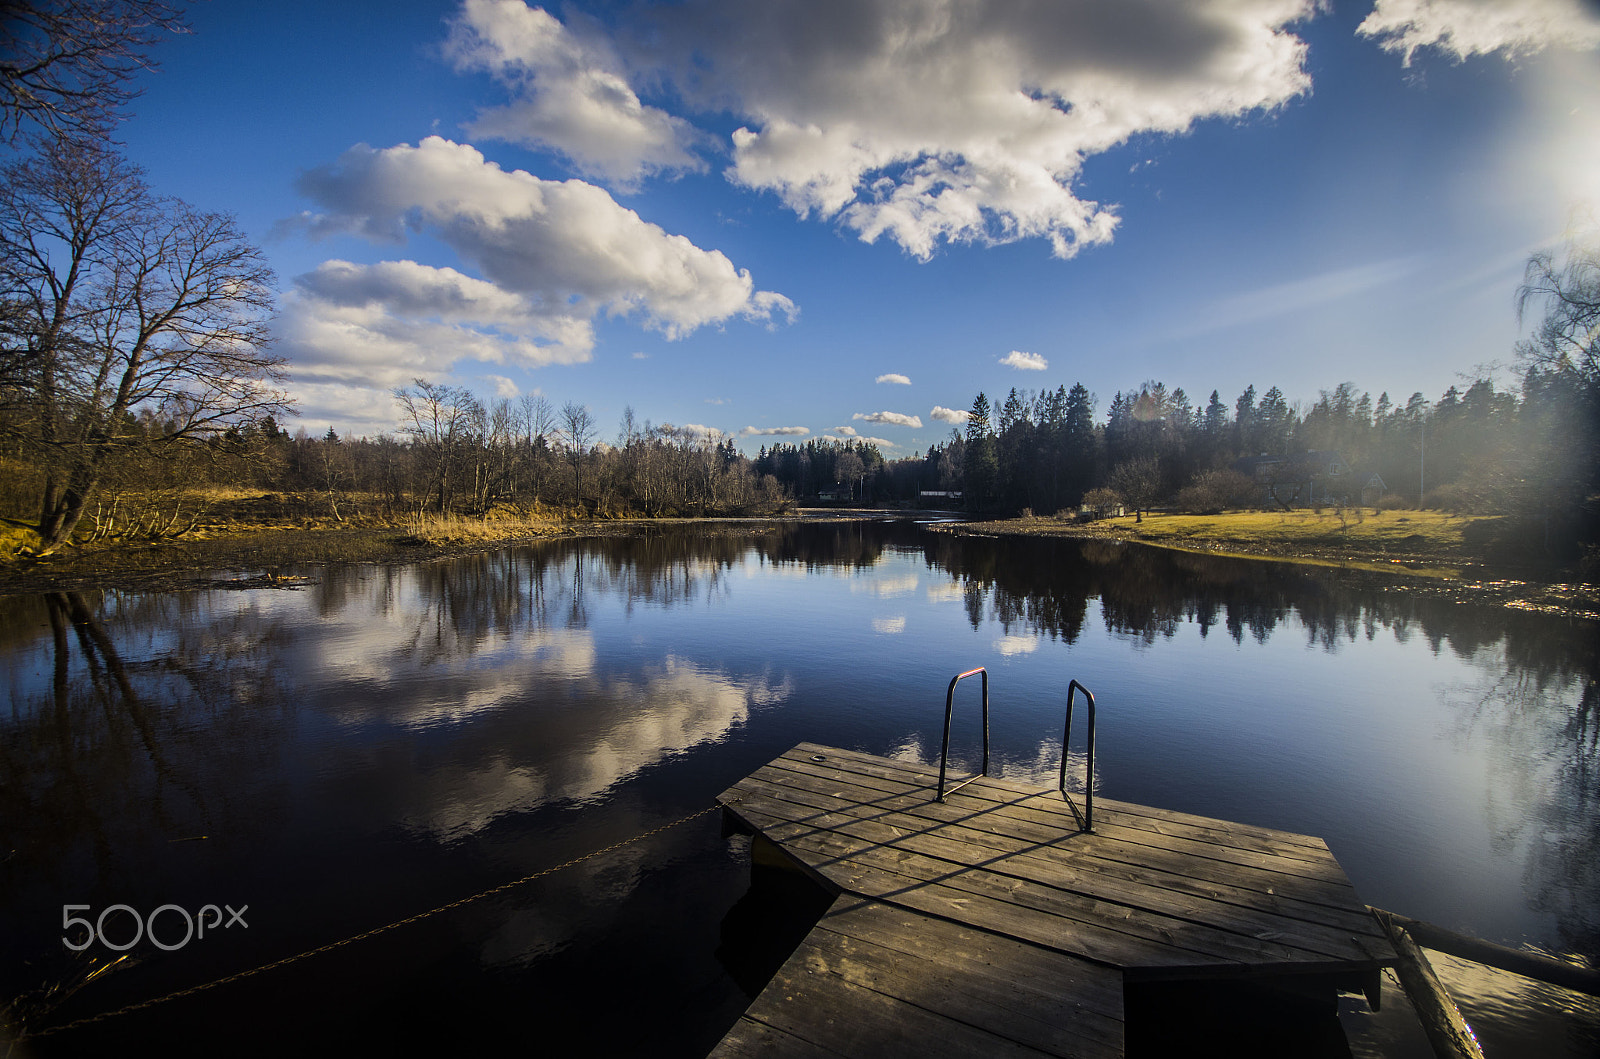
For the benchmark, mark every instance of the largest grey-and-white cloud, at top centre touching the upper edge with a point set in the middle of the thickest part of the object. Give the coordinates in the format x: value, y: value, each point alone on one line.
x: 935, y: 122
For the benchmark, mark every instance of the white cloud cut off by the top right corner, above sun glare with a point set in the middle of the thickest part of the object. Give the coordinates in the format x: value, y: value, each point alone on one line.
x: 1468, y: 28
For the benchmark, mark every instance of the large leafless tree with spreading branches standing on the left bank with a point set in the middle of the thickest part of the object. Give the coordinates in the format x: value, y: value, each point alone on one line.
x: 137, y: 322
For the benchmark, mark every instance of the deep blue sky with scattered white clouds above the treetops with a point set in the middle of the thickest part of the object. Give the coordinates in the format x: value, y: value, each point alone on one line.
x: 743, y: 217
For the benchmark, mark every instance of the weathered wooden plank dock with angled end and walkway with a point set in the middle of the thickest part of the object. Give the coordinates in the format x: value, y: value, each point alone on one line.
x: 993, y: 924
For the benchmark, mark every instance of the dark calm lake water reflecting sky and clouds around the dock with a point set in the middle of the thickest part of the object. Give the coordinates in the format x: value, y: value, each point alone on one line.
x: 388, y: 740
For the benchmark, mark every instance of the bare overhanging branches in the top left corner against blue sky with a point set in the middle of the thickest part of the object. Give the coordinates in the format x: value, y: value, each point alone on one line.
x: 68, y: 65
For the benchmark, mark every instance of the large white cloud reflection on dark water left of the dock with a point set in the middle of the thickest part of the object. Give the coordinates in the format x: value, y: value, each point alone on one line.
x: 518, y: 706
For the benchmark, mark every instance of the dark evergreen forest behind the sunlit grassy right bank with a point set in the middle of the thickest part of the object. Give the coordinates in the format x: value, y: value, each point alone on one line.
x: 1478, y: 450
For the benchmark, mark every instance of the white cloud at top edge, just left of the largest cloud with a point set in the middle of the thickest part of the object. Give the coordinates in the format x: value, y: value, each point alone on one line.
x: 569, y: 94
